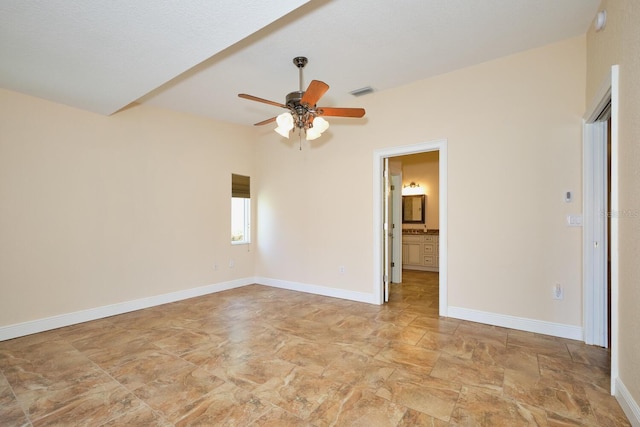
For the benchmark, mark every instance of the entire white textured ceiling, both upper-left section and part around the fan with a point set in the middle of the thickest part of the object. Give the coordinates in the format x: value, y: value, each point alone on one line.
x: 196, y: 56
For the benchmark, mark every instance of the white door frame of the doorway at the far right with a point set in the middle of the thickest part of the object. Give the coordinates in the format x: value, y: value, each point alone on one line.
x: 594, y: 133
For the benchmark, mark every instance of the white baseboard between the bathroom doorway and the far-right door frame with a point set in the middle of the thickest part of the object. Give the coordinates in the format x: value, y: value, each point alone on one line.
x: 520, y: 323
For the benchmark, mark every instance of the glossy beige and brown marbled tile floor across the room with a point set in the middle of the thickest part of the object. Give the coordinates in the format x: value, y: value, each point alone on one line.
x: 269, y: 357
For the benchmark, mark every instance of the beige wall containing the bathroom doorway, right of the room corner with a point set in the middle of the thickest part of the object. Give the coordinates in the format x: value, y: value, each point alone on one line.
x: 514, y: 135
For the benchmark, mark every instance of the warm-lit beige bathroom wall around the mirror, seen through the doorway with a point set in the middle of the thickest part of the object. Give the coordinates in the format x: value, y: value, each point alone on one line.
x: 423, y: 169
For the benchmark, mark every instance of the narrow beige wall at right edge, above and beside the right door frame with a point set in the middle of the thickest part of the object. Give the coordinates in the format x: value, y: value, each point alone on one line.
x: 619, y: 43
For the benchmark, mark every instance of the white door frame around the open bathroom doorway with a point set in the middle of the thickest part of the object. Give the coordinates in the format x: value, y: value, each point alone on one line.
x: 378, y: 207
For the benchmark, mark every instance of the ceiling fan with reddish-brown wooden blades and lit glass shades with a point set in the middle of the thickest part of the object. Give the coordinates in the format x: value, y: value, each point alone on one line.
x: 302, y: 110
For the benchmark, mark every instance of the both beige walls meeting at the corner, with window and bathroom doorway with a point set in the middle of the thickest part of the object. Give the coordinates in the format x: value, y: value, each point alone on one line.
x: 99, y: 210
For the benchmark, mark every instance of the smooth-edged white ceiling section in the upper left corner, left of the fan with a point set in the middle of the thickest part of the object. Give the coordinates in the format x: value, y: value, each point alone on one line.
x: 102, y: 55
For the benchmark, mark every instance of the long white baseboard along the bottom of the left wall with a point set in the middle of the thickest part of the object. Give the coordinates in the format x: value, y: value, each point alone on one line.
x: 59, y: 321
